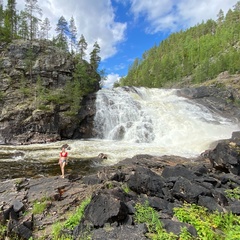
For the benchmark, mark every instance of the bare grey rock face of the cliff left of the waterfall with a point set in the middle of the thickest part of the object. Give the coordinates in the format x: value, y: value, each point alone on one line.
x: 27, y: 114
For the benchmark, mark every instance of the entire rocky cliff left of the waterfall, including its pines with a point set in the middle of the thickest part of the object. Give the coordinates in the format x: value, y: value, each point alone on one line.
x: 43, y: 81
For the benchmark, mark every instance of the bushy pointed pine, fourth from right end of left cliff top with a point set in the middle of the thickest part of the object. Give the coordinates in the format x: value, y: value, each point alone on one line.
x: 63, y: 31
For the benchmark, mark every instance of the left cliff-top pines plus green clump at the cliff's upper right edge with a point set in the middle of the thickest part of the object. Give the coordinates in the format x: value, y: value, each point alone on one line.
x: 28, y: 25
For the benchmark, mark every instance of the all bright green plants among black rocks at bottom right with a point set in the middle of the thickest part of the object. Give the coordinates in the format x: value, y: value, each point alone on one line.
x: 209, y: 226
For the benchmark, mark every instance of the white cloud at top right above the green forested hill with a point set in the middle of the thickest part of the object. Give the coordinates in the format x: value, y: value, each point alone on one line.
x: 171, y: 15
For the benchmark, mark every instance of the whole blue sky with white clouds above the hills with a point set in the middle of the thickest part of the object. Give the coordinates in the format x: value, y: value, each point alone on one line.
x: 125, y: 29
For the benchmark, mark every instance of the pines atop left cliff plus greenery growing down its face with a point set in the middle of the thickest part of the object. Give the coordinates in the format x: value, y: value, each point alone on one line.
x: 28, y: 25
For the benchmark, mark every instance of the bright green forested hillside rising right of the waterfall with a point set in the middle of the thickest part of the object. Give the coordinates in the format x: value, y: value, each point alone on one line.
x: 198, y: 54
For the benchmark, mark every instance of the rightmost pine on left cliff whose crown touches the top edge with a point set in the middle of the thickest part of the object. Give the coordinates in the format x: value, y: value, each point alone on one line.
x: 31, y: 9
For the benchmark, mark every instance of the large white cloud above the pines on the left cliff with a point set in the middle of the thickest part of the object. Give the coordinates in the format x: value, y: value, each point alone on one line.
x: 94, y: 19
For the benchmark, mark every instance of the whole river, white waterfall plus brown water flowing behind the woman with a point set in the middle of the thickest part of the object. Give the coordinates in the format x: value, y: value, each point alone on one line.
x: 143, y: 121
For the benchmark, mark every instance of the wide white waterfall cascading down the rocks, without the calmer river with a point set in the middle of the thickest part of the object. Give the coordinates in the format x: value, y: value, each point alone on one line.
x: 159, y: 120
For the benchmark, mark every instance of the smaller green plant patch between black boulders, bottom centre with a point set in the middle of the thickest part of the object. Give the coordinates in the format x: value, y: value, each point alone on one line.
x: 146, y: 214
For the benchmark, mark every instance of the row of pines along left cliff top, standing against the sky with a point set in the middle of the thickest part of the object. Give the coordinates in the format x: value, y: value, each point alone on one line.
x: 28, y: 25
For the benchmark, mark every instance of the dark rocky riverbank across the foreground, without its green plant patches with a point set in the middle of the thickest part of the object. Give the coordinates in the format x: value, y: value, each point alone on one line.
x: 164, y: 182
